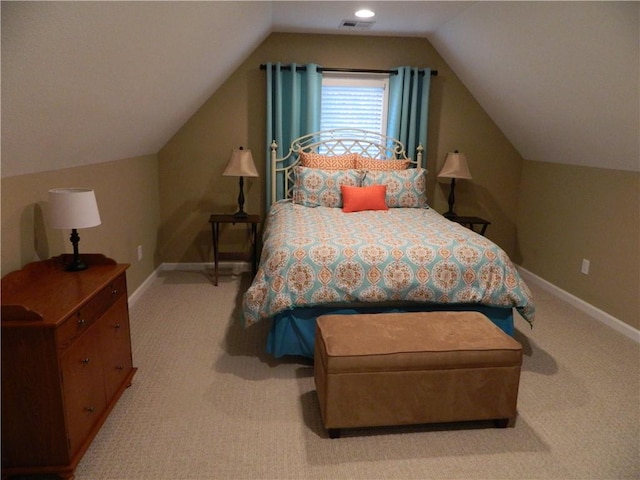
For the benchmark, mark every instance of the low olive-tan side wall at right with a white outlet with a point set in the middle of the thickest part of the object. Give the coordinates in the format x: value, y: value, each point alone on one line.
x: 569, y: 213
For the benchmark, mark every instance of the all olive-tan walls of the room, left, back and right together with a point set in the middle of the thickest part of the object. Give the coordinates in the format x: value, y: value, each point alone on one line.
x: 564, y: 213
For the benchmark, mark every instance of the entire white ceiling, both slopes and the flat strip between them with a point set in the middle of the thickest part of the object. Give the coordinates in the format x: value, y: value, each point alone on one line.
x: 89, y: 82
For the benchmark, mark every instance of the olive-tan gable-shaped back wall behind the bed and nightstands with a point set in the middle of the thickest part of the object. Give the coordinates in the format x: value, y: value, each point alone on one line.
x: 191, y: 164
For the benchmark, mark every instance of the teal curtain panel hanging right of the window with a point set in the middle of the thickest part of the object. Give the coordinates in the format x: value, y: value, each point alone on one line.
x: 408, y: 115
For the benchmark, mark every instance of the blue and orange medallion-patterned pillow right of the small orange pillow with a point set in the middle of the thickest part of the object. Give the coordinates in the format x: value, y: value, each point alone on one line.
x: 405, y: 188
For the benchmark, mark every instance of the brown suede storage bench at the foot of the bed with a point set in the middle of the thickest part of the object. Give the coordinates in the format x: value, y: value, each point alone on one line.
x: 413, y: 368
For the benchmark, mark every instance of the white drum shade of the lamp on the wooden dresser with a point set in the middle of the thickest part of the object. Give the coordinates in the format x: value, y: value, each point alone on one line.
x: 73, y: 208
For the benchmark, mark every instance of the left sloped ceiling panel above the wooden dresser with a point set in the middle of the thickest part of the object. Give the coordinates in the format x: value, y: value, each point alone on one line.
x: 90, y: 82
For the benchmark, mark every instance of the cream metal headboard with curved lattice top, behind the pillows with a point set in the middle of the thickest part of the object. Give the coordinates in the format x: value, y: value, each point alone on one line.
x: 337, y: 141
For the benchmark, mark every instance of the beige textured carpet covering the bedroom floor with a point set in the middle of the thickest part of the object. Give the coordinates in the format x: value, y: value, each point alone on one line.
x: 206, y: 403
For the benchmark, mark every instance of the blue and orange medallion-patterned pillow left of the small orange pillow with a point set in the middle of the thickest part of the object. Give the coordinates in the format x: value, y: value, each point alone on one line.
x: 315, y: 187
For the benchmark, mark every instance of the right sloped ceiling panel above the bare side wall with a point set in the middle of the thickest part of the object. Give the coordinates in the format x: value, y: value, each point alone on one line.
x: 560, y: 79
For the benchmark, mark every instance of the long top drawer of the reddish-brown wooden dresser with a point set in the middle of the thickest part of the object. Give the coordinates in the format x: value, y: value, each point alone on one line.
x: 78, y: 322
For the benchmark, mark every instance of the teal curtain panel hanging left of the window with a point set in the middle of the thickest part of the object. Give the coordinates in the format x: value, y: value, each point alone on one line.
x: 293, y: 109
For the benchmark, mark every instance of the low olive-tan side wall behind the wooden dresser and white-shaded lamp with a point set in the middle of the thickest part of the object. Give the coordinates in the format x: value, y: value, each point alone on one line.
x: 127, y: 196
